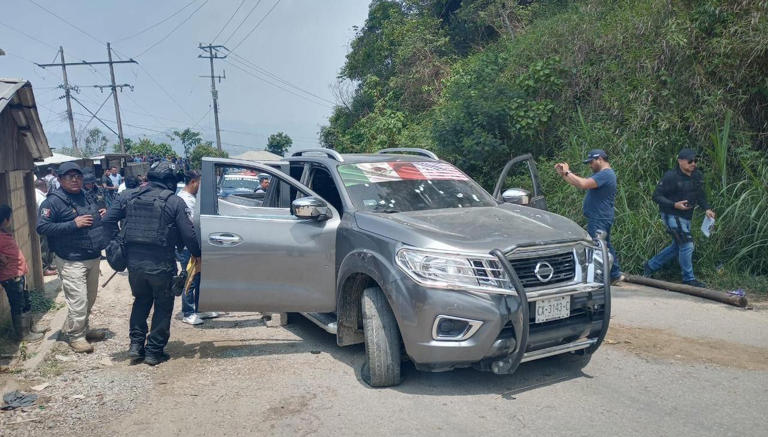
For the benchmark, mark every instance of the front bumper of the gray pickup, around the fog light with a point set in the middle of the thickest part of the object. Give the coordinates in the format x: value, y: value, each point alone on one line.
x: 496, y: 338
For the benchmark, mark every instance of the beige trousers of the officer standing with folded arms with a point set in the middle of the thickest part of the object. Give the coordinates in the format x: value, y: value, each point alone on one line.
x: 80, y: 281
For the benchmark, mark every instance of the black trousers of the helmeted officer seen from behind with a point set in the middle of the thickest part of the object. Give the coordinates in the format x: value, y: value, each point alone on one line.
x: 151, y: 290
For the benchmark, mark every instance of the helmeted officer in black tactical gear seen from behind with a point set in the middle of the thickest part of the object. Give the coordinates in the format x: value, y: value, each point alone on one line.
x: 156, y: 221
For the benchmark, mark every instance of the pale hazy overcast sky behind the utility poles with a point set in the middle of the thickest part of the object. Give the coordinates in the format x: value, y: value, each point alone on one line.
x: 300, y: 42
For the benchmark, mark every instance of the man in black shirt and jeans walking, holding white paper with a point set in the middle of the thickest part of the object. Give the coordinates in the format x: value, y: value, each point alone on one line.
x: 678, y: 193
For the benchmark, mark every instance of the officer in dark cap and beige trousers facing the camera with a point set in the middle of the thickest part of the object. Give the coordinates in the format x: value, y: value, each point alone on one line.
x: 72, y: 222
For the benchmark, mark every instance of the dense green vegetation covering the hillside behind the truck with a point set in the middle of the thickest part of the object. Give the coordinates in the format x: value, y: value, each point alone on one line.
x: 479, y: 81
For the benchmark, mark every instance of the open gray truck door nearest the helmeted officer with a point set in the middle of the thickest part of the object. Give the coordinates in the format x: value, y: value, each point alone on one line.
x: 257, y: 254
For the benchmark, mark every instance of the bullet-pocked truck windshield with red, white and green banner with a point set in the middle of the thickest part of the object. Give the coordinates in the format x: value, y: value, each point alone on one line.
x: 390, y: 187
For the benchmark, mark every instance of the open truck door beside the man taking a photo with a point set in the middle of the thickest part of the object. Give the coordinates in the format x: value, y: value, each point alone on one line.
x: 519, y: 183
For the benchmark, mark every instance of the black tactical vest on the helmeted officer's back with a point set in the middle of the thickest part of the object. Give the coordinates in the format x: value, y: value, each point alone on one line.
x: 145, y: 222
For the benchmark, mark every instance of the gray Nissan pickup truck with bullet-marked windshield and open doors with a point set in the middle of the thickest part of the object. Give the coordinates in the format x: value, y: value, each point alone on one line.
x: 405, y: 253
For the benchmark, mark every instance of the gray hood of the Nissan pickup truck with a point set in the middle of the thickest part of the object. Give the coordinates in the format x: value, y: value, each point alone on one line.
x: 479, y: 229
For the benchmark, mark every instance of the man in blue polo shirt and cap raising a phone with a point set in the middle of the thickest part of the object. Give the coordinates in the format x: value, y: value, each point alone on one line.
x: 600, y: 199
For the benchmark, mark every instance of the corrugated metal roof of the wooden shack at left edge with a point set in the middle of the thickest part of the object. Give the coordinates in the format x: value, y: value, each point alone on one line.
x: 16, y: 95
